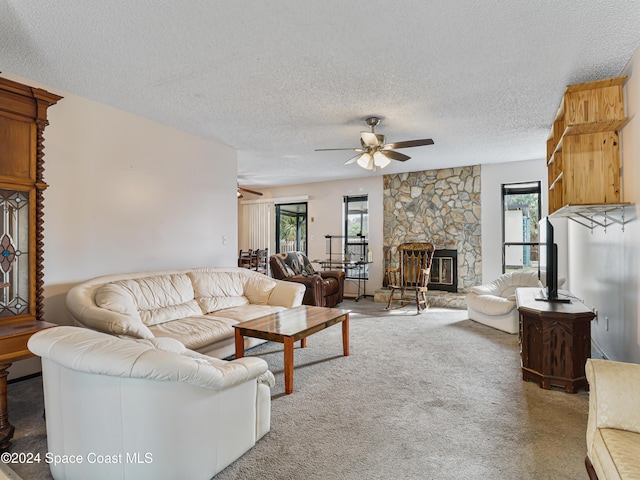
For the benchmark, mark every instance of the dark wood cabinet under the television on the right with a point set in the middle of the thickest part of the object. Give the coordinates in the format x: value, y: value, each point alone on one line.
x: 555, y: 341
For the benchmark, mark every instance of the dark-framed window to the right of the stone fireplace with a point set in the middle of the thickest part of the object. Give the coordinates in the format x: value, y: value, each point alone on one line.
x: 520, y: 217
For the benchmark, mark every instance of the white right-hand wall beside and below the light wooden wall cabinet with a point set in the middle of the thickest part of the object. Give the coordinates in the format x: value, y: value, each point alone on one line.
x: 604, y: 266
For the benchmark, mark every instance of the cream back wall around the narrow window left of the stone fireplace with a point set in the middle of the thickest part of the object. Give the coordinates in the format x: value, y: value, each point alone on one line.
x: 325, y: 210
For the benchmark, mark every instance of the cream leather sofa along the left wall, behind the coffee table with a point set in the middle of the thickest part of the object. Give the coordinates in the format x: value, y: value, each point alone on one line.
x: 198, y: 307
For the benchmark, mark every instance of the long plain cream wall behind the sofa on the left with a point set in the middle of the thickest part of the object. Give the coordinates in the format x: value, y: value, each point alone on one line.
x: 128, y: 194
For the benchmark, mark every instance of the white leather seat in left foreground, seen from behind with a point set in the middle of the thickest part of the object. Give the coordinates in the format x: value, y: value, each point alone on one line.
x: 134, y: 408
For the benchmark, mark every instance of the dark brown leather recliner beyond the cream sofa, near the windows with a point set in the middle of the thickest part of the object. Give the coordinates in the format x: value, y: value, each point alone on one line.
x: 324, y: 289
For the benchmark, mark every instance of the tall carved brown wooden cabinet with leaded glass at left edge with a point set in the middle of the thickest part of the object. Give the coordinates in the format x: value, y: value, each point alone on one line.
x: 23, y: 118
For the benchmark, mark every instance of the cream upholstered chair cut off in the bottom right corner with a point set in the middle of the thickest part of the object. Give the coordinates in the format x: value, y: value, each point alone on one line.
x: 613, y: 427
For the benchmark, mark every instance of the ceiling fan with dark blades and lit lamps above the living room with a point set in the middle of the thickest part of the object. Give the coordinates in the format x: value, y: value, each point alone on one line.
x: 374, y: 152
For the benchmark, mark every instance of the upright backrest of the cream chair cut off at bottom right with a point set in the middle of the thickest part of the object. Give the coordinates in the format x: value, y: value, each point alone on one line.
x: 614, y: 396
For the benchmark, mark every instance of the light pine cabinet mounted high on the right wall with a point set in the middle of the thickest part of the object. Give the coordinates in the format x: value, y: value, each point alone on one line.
x: 583, y: 149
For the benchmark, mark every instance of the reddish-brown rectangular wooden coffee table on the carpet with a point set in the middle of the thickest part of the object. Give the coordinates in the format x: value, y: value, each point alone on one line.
x: 290, y: 326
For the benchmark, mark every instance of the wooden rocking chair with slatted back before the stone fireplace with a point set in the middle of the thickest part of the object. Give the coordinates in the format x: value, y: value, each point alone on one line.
x: 412, y: 274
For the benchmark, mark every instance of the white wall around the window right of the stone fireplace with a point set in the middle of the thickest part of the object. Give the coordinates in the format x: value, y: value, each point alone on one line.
x: 492, y: 177
